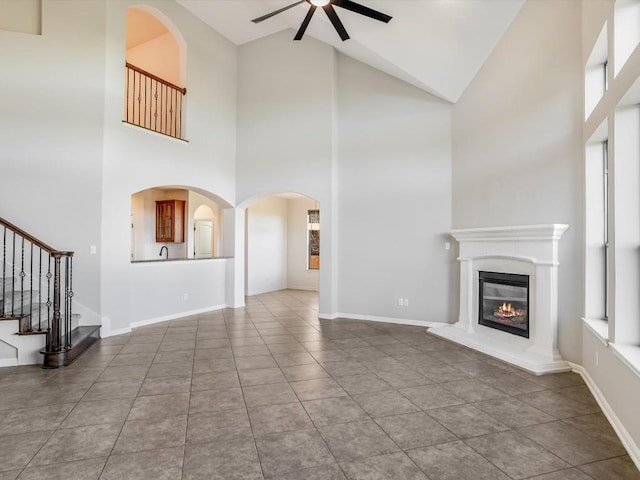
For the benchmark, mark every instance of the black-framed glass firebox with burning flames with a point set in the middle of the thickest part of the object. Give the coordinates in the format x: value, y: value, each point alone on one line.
x: 504, y: 302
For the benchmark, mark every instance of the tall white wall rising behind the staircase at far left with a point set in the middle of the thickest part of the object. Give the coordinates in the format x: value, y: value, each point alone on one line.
x: 51, y: 120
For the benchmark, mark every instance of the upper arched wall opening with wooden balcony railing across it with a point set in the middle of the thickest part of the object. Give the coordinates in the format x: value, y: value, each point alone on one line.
x: 155, y: 73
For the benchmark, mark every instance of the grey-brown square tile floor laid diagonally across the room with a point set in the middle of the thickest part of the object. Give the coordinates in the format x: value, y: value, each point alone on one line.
x: 269, y: 391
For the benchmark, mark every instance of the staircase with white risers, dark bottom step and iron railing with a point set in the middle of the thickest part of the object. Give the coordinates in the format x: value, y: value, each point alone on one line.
x: 36, y: 298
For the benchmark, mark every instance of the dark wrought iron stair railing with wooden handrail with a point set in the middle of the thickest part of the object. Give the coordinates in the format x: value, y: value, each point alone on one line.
x: 36, y: 287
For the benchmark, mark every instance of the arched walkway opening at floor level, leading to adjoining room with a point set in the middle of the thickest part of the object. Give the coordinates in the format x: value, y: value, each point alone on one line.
x: 280, y: 252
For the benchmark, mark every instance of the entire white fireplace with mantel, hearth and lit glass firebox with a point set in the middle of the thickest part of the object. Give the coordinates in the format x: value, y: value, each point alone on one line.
x: 529, y: 257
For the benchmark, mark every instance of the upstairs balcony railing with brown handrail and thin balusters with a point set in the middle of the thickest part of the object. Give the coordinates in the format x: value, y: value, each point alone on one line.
x: 153, y: 103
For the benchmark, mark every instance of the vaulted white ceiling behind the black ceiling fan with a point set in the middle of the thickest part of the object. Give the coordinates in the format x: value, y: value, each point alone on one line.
x: 436, y: 45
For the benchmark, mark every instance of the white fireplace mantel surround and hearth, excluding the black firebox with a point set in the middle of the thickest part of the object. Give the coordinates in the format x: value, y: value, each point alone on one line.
x: 527, y: 250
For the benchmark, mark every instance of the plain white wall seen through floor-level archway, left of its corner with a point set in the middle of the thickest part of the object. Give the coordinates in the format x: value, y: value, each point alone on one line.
x: 266, y: 264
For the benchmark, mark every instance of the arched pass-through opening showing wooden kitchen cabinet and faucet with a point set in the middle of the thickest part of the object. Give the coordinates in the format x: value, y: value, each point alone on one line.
x: 165, y: 224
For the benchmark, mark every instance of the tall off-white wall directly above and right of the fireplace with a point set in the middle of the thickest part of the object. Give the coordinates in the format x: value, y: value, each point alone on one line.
x: 517, y: 143
